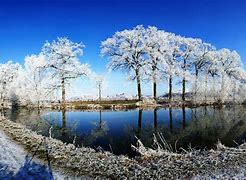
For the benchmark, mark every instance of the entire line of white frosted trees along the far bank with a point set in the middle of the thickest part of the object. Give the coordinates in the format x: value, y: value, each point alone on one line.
x: 146, y: 54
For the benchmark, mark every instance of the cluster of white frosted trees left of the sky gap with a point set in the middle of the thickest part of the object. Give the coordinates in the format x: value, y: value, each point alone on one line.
x: 44, y: 74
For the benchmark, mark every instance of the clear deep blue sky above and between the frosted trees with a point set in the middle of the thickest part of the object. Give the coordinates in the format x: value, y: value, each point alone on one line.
x: 26, y: 24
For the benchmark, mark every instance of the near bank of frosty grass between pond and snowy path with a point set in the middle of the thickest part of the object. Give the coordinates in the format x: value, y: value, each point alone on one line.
x: 157, y: 164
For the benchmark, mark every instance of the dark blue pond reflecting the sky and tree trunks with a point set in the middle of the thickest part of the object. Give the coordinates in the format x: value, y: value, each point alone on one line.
x: 115, y: 131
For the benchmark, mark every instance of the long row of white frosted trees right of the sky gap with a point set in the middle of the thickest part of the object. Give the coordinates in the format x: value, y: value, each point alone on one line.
x: 155, y: 55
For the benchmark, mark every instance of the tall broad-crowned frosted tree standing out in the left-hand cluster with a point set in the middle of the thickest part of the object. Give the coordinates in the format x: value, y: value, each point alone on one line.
x: 63, y: 63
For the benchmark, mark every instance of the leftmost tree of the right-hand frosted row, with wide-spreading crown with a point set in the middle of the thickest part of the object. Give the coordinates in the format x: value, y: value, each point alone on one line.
x: 126, y: 51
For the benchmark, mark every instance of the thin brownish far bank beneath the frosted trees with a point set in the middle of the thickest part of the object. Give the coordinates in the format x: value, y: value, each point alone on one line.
x: 127, y: 105
